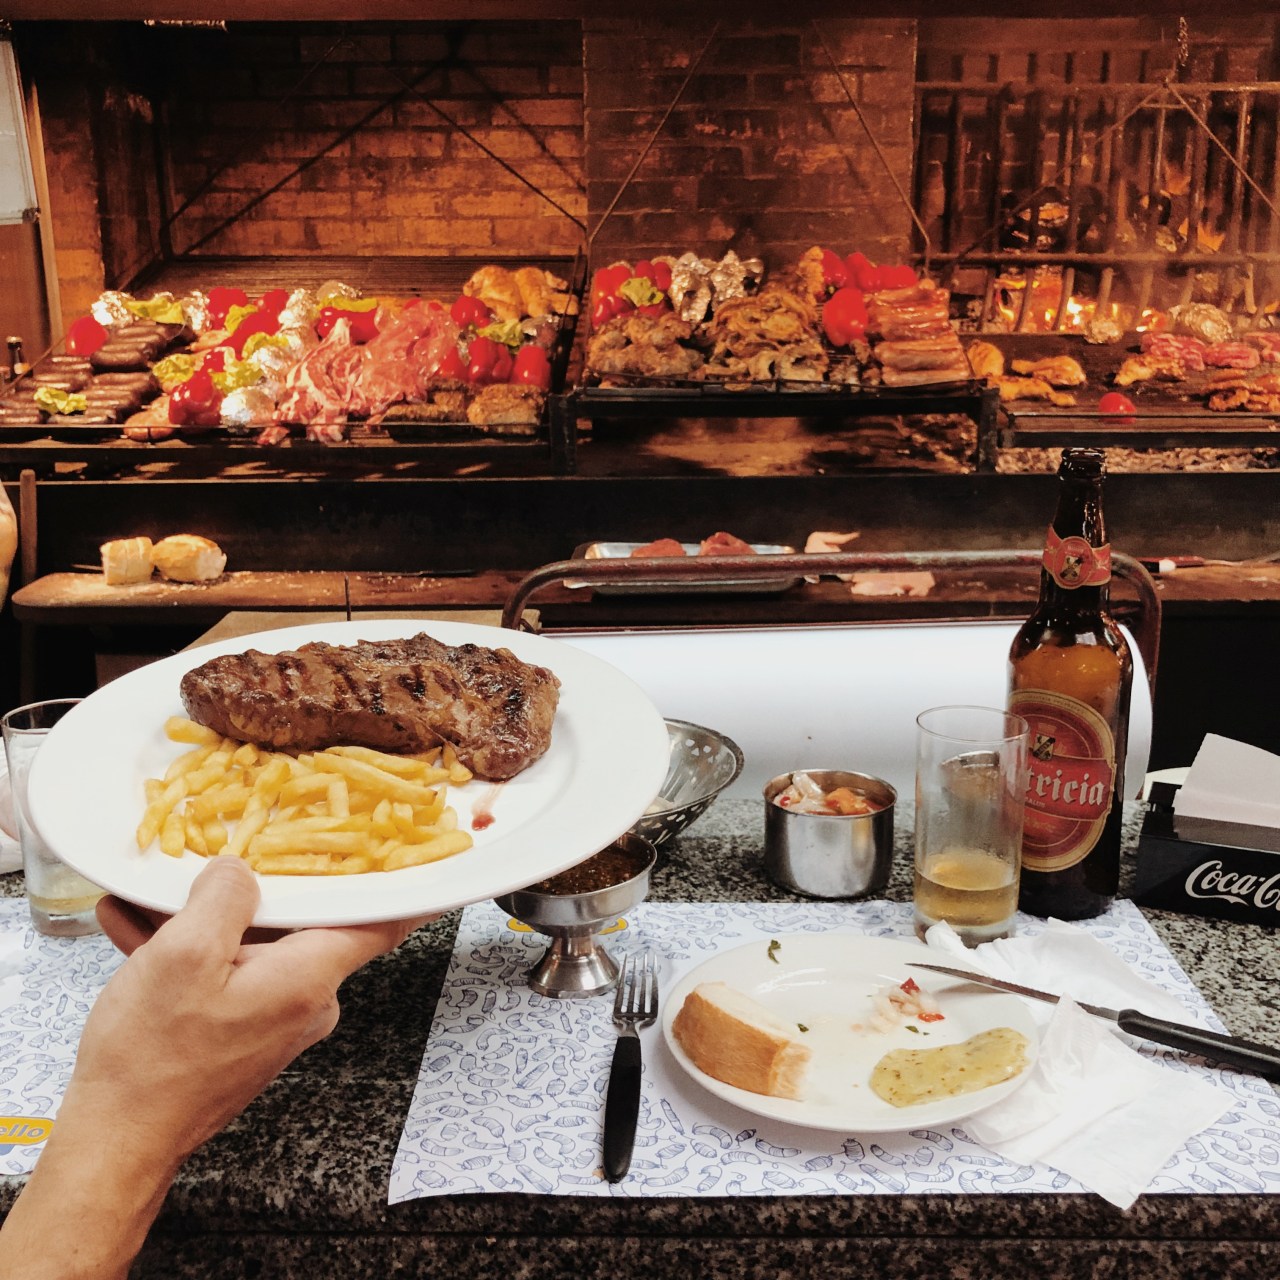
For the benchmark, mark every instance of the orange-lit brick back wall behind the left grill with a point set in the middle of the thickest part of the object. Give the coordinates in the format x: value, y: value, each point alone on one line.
x: 394, y: 176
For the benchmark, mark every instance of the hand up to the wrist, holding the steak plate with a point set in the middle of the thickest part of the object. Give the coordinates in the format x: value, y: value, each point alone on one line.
x: 199, y: 1020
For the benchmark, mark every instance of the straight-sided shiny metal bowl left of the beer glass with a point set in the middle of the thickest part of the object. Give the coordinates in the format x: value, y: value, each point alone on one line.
x: 830, y: 856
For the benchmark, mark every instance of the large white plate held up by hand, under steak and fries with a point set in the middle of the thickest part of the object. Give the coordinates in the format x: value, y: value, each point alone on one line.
x: 607, y: 761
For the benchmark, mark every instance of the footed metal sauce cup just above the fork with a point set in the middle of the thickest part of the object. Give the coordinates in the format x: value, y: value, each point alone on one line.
x: 575, y: 964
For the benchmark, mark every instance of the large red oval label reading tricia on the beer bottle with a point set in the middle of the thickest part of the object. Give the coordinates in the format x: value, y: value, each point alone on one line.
x: 1071, y: 779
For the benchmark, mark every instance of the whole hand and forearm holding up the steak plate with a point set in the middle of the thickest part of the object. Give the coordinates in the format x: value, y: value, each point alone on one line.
x: 189, y: 1031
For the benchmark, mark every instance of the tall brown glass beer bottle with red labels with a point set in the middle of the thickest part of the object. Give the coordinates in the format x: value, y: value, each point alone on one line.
x: 1069, y: 676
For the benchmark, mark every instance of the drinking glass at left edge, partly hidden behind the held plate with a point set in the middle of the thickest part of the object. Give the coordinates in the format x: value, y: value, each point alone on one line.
x: 62, y: 900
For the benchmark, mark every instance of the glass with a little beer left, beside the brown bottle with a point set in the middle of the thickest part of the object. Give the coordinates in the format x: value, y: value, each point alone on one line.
x: 971, y: 784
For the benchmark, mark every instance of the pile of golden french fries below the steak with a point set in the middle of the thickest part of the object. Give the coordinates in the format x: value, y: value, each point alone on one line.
x: 341, y: 812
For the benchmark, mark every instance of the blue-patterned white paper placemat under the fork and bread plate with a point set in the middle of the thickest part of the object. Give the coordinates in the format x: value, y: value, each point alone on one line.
x: 511, y: 1092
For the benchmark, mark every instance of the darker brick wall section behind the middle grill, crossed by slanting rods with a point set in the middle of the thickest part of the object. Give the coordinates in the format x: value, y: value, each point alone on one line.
x: 764, y: 153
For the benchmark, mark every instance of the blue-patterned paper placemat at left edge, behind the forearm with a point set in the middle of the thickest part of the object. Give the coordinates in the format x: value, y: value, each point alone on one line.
x: 48, y: 988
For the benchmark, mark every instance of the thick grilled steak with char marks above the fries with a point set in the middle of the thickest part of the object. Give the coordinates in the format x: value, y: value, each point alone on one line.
x: 395, y: 696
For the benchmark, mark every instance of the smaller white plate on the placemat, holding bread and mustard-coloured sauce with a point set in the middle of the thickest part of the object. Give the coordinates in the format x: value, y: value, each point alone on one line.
x: 828, y: 982
